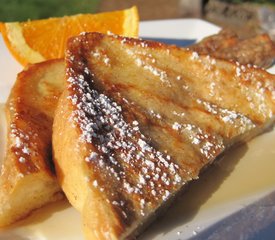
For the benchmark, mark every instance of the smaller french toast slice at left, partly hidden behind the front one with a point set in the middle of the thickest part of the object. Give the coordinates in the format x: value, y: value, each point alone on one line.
x: 27, y: 179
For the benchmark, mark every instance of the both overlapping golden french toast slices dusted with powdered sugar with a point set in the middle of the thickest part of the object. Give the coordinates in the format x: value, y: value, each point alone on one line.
x: 129, y: 124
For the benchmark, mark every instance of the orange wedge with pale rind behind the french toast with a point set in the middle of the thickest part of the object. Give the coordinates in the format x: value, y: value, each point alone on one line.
x: 39, y: 40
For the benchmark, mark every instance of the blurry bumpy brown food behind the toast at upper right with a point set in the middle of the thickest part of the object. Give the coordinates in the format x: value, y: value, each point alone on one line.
x: 258, y: 50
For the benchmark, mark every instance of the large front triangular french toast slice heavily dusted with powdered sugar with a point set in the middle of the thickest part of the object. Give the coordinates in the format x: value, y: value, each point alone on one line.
x: 138, y: 120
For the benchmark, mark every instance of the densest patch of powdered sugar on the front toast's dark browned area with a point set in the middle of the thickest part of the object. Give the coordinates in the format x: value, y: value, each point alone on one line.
x: 120, y: 146
